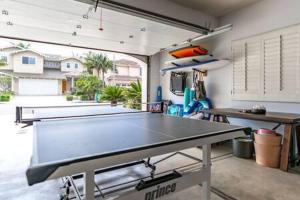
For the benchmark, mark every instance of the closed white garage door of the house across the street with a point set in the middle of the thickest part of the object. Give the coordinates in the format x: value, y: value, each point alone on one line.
x: 38, y: 87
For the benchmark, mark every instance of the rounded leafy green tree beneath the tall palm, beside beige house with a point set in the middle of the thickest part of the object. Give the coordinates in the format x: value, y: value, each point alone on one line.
x: 88, y: 85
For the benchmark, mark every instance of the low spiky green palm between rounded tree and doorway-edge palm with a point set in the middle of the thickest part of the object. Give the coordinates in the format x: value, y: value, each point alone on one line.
x: 113, y: 94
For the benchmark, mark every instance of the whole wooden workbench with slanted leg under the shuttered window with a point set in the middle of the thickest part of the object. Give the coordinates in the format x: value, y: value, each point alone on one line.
x: 290, y: 122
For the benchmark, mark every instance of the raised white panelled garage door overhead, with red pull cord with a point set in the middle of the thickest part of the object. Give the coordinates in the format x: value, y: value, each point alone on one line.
x: 63, y: 22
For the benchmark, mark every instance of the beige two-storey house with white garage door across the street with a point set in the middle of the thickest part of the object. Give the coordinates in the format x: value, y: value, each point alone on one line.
x: 40, y: 74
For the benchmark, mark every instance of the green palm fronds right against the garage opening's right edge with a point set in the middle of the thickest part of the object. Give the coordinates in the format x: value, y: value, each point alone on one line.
x: 134, y: 95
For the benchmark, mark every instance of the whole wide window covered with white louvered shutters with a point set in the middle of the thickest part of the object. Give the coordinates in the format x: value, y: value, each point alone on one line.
x: 267, y: 67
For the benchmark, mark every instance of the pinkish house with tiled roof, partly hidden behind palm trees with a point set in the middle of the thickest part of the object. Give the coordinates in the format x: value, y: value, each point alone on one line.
x: 127, y: 71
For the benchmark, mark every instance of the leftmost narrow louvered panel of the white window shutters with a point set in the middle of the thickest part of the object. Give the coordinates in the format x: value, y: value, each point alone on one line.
x: 239, y: 73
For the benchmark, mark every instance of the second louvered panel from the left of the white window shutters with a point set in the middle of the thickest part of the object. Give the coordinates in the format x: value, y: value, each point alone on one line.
x: 253, y: 52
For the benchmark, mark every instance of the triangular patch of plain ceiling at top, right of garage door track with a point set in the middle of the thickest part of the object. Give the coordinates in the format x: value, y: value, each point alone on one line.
x: 215, y: 7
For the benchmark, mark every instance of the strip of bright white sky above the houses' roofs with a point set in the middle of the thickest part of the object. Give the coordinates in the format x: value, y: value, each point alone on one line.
x: 66, y: 51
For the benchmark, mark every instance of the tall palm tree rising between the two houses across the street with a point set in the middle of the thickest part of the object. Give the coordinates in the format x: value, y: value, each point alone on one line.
x: 100, y: 62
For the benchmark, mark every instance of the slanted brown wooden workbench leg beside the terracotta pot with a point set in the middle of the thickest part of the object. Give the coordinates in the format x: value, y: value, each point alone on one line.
x: 284, y: 160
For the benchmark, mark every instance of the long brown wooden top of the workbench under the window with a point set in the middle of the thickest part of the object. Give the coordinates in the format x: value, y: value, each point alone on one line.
x: 277, y: 117
